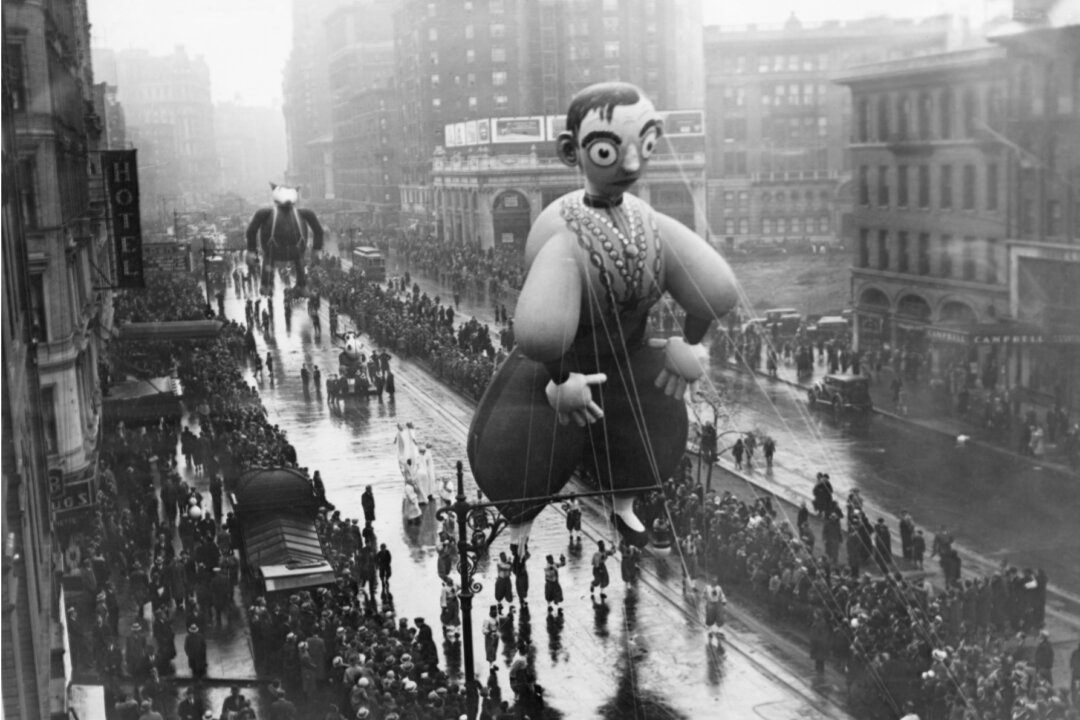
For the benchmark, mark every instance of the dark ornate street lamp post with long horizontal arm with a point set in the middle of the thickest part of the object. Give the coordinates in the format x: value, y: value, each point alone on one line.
x: 480, y: 518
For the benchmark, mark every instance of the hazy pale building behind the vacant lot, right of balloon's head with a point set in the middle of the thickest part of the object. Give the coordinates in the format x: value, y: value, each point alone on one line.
x: 778, y: 126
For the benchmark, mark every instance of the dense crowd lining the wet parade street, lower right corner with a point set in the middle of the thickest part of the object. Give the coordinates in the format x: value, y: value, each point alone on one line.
x: 975, y: 650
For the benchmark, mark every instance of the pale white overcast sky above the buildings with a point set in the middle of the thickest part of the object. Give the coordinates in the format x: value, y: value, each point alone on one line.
x: 247, y: 43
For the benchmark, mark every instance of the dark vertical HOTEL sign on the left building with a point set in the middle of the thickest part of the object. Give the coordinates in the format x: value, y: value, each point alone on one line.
x: 121, y: 178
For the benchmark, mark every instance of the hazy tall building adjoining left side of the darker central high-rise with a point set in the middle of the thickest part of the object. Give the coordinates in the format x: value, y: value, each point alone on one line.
x: 366, y: 112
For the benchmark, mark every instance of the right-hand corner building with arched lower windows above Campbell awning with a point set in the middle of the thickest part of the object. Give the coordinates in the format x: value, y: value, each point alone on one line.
x: 966, y: 187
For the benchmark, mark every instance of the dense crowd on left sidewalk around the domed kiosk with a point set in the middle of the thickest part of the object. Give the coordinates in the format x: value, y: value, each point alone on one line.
x: 337, y: 643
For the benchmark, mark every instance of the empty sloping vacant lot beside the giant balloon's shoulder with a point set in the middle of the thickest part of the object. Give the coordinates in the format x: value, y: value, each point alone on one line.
x: 813, y: 284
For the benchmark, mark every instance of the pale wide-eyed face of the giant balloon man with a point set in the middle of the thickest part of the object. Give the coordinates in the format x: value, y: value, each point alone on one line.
x: 614, y: 155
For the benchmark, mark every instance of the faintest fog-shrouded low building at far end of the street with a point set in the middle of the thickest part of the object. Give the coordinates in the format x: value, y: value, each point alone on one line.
x: 251, y: 147
